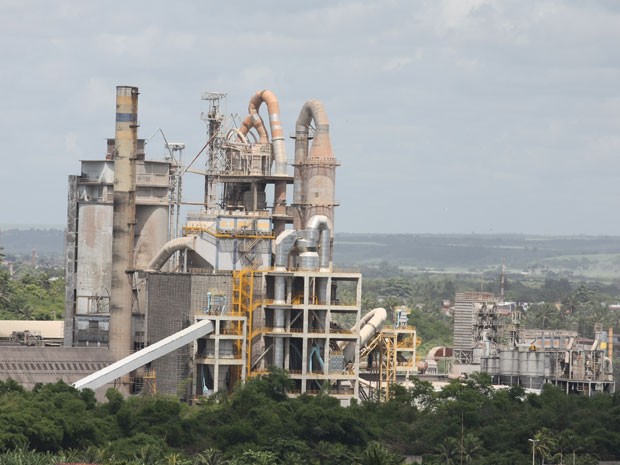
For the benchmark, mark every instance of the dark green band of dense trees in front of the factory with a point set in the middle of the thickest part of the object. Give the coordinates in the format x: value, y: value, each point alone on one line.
x: 468, y: 422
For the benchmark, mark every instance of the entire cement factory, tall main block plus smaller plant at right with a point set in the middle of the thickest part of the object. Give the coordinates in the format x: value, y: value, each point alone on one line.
x: 246, y: 283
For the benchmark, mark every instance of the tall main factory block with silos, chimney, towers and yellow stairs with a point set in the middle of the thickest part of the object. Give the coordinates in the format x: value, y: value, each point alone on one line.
x: 258, y: 268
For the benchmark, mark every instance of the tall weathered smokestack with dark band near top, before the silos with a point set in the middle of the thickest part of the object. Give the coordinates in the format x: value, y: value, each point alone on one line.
x: 124, y: 212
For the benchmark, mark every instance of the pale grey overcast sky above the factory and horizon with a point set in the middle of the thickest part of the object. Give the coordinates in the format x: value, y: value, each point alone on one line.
x: 452, y: 116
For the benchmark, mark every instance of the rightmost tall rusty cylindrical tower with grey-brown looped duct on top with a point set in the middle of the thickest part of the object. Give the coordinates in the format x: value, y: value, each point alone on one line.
x: 315, y: 172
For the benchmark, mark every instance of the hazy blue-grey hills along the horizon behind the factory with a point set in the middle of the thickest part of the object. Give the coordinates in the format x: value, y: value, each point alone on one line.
x: 595, y: 257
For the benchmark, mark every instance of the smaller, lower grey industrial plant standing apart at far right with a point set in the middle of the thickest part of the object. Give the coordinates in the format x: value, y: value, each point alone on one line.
x: 488, y: 341
